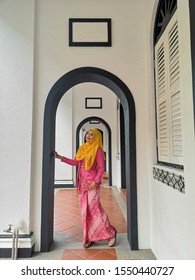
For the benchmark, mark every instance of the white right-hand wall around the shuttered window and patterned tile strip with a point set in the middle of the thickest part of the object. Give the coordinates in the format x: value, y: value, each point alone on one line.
x: 172, y: 213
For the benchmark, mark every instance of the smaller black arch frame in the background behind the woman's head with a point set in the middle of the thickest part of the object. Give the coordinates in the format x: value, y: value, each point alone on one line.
x: 109, y: 140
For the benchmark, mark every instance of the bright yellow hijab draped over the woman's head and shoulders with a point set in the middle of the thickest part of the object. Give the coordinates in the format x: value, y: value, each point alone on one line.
x: 88, y: 150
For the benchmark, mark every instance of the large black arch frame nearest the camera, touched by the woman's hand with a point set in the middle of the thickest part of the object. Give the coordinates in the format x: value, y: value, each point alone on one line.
x: 67, y: 81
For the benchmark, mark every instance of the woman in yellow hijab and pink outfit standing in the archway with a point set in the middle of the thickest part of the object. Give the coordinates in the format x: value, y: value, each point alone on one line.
x: 90, y: 161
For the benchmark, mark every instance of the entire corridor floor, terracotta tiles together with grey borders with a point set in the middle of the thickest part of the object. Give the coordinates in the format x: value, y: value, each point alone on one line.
x: 67, y: 243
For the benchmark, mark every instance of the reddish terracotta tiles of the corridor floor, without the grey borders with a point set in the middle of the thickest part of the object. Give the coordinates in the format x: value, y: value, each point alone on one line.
x: 68, y: 222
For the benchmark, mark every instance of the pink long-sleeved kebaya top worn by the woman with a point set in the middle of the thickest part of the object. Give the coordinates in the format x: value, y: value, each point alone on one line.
x: 86, y: 177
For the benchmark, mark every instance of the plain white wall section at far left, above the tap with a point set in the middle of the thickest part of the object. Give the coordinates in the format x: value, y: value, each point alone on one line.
x: 16, y: 97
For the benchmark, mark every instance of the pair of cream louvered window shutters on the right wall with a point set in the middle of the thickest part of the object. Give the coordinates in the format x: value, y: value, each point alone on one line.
x: 168, y: 95
